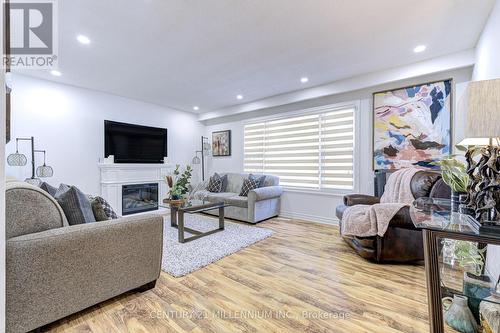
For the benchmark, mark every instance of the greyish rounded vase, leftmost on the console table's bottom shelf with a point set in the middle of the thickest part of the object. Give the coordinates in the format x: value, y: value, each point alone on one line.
x: 458, y: 315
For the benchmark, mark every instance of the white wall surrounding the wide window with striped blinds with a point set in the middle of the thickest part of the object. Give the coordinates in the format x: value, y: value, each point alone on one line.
x: 320, y: 207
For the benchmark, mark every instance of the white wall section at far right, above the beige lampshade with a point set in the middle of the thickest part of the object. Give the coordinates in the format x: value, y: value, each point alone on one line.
x: 488, y: 49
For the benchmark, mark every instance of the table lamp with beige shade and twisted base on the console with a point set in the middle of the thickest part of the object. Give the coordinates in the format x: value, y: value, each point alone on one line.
x: 481, y: 102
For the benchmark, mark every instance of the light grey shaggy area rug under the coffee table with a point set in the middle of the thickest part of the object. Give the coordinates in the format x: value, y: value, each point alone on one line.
x: 181, y: 259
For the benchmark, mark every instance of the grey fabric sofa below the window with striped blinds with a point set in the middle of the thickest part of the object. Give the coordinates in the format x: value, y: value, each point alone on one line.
x: 260, y: 204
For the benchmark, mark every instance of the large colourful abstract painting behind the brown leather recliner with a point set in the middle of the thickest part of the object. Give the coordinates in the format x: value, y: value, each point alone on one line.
x: 412, y: 126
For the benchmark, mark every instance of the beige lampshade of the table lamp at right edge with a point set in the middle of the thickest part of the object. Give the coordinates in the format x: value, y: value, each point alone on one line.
x: 482, y: 104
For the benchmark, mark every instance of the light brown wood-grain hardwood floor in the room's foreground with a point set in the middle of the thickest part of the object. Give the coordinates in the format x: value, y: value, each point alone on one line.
x: 302, y: 279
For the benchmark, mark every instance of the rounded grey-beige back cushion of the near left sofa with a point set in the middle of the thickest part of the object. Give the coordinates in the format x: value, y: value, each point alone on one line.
x: 29, y: 209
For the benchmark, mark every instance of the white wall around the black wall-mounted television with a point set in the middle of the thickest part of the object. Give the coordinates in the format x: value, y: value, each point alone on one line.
x: 68, y: 122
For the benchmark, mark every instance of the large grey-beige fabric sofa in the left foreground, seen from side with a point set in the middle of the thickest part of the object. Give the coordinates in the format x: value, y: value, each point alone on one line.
x: 54, y: 270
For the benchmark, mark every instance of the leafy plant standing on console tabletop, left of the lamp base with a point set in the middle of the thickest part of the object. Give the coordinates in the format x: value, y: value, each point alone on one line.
x: 455, y: 175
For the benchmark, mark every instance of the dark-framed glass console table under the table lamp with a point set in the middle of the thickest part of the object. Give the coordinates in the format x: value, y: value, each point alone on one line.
x: 445, y: 278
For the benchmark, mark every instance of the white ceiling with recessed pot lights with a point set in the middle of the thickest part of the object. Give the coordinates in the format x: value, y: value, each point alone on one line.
x: 181, y: 53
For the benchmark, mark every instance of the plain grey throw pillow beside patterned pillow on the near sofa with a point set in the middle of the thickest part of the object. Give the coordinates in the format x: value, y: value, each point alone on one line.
x: 76, y: 206
